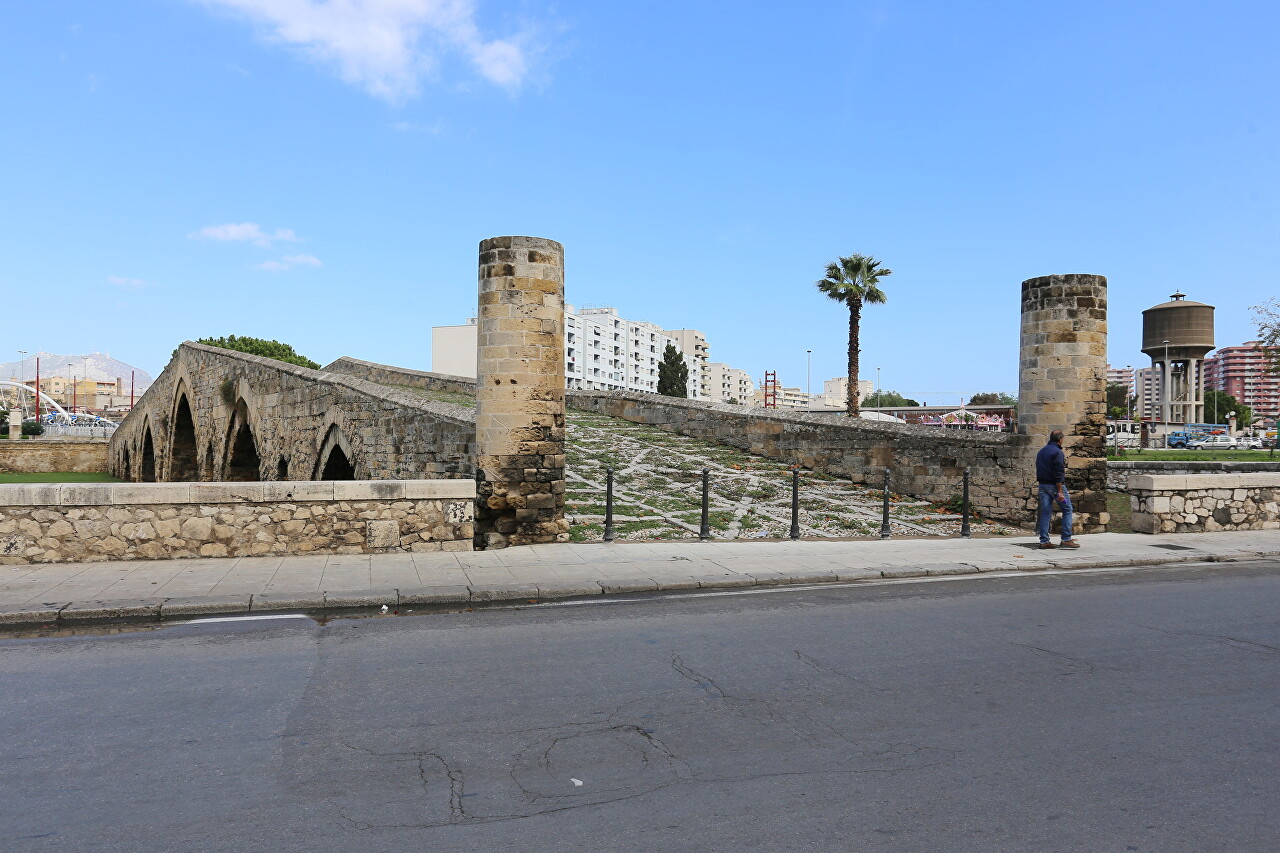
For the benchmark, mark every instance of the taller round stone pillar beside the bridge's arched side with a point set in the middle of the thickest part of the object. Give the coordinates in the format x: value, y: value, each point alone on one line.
x: 520, y: 394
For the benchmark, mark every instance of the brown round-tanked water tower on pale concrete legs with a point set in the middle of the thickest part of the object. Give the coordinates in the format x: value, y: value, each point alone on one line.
x: 1178, y: 335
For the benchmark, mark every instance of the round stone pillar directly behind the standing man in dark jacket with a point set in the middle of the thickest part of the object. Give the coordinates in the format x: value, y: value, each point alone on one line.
x: 1063, y: 384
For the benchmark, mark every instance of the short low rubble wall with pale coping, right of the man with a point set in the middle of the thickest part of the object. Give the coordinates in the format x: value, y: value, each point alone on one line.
x: 1205, y: 503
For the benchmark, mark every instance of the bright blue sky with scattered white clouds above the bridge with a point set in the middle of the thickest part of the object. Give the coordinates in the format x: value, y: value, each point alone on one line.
x: 321, y: 174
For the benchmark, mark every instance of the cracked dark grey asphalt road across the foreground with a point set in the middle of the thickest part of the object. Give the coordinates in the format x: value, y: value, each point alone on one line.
x: 1086, y: 711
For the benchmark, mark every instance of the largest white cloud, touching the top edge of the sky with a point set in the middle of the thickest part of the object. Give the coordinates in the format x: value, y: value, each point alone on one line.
x: 386, y: 47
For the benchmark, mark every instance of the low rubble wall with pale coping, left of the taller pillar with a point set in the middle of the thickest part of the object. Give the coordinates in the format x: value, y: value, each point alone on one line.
x: 158, y: 521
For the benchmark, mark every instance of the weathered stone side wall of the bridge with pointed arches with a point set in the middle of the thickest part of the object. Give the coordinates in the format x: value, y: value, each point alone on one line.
x: 295, y: 417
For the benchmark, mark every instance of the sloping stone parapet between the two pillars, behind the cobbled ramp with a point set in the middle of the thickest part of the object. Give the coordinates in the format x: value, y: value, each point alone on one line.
x: 925, y: 462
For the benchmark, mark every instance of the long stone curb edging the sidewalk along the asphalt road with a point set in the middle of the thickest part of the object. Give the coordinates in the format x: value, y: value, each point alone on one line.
x: 52, y: 615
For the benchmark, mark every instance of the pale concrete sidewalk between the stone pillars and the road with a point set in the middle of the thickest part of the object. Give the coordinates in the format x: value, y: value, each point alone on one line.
x: 88, y: 592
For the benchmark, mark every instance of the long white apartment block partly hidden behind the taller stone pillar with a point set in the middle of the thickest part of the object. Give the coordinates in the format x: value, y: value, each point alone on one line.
x: 602, y: 353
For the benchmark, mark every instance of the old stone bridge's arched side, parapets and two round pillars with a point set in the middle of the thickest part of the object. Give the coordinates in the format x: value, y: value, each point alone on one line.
x: 223, y: 416
